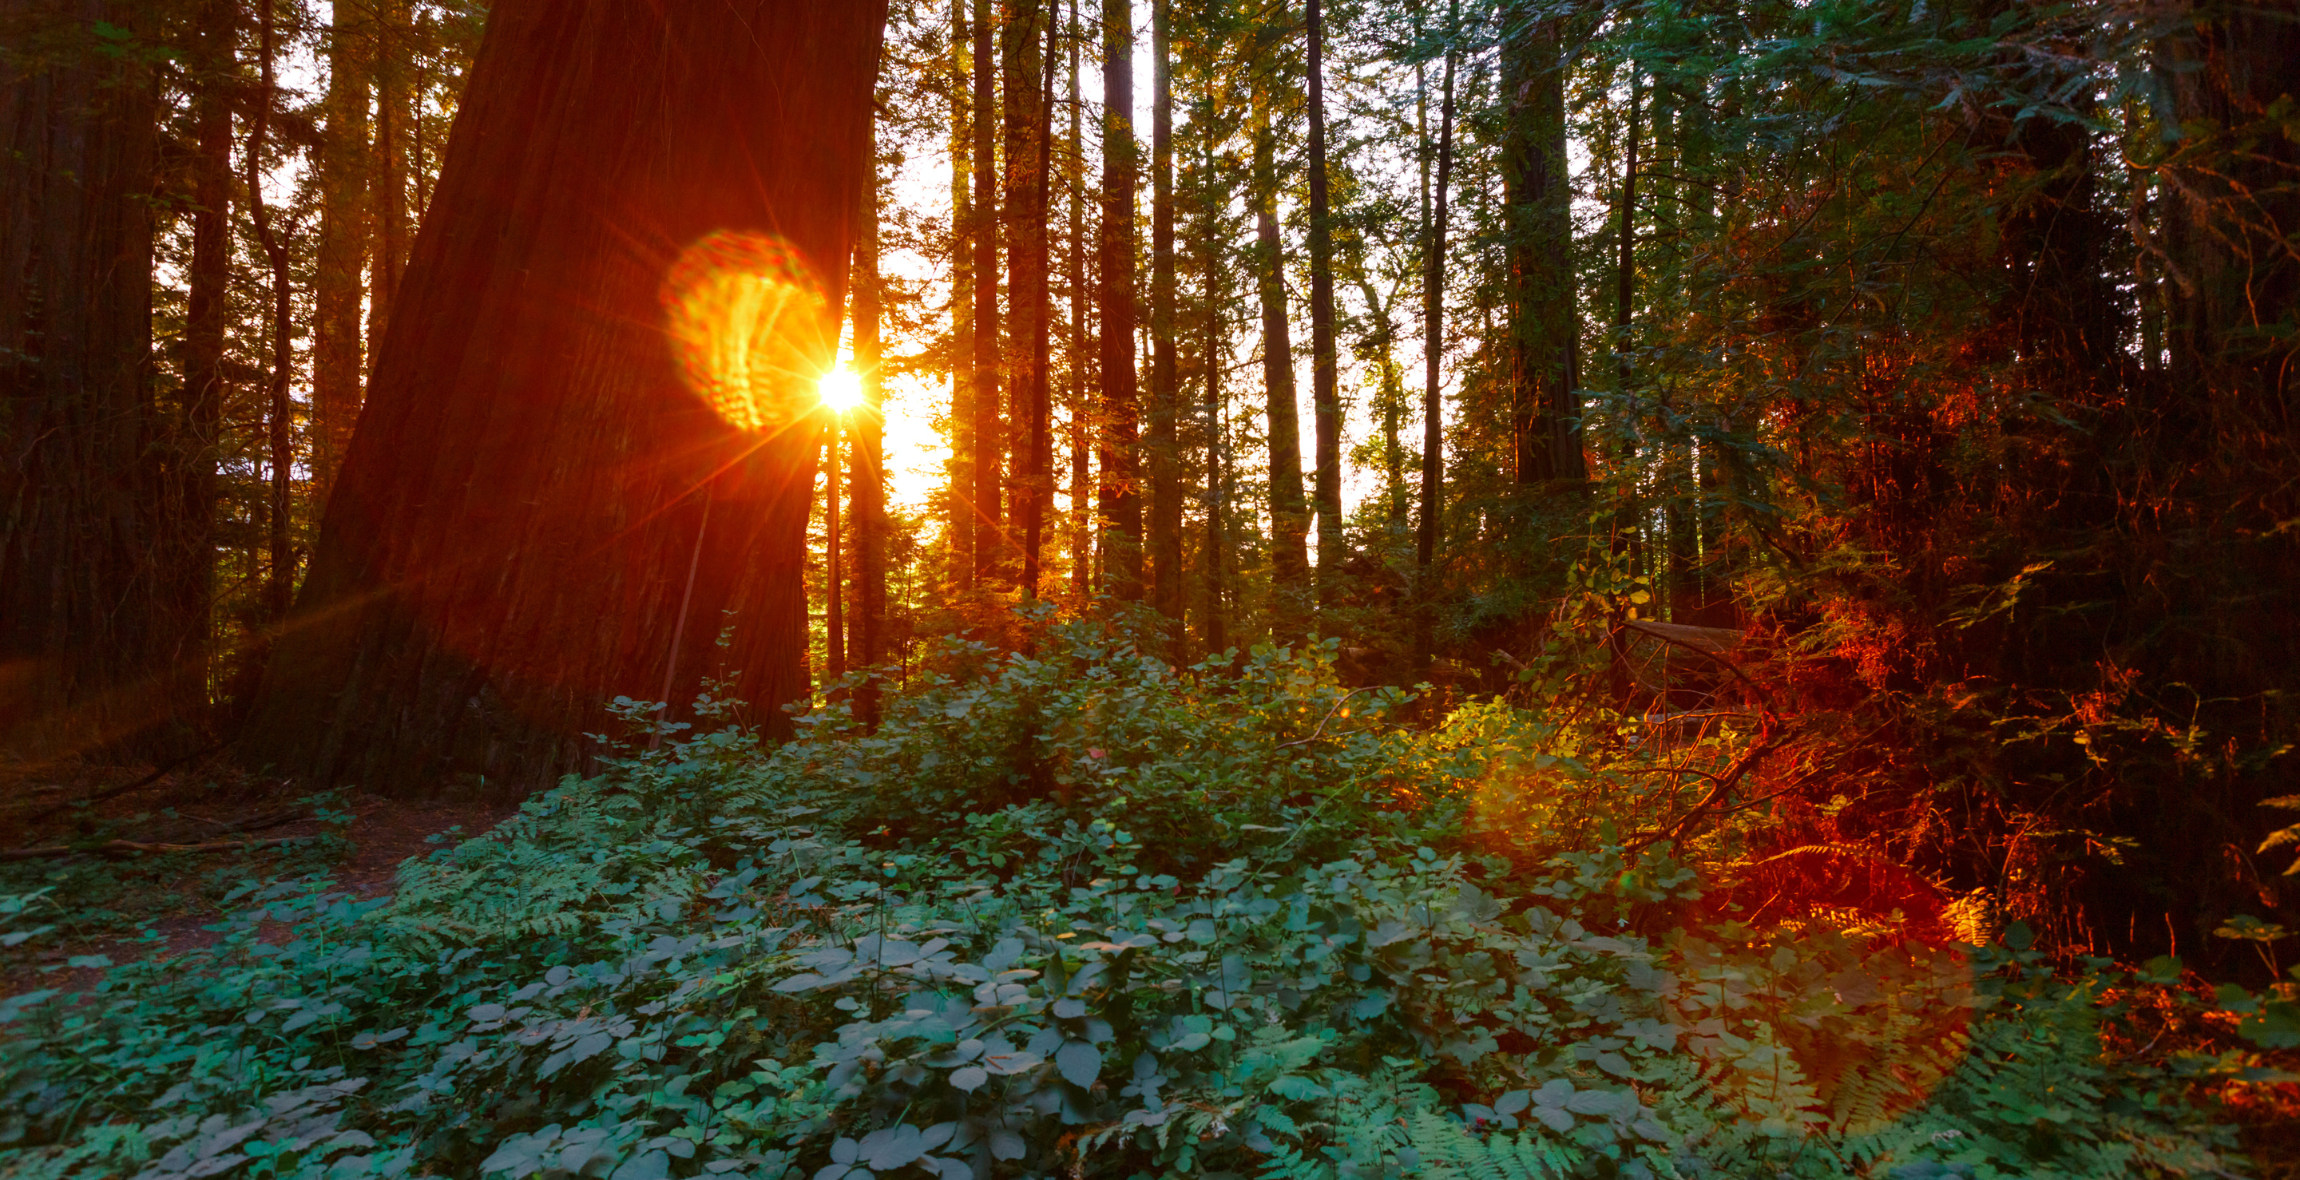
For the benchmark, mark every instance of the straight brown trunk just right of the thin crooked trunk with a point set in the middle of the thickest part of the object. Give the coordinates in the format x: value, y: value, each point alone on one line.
x: 339, y: 270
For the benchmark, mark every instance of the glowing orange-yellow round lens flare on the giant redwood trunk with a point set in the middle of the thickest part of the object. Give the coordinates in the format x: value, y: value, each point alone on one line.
x: 751, y: 328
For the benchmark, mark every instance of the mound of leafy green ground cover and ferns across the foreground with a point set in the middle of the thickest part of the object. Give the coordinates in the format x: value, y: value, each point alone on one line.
x: 1082, y: 914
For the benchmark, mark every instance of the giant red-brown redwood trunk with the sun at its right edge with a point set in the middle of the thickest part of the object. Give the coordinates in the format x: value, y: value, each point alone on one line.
x: 581, y: 399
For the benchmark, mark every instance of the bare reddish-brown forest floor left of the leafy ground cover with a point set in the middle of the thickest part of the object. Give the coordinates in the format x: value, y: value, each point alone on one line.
x: 107, y: 905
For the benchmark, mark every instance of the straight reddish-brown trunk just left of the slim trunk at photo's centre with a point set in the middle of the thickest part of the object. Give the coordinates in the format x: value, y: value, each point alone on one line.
x: 1119, y: 498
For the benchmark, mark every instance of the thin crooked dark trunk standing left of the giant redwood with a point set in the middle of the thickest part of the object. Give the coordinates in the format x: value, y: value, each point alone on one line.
x: 279, y: 411
